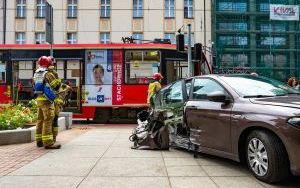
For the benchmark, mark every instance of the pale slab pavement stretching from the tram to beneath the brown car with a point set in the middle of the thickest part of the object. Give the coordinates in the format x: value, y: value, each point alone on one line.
x: 101, y: 157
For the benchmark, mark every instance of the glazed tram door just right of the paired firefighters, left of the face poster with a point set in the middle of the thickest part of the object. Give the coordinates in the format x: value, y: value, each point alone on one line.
x: 70, y: 71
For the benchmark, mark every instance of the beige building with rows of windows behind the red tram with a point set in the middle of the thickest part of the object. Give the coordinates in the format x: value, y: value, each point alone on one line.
x: 105, y: 21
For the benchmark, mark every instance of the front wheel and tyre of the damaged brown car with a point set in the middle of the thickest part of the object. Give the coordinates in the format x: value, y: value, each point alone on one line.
x: 266, y: 156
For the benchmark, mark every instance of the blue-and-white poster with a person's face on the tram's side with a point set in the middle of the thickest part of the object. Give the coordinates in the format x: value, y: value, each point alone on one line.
x: 98, y: 78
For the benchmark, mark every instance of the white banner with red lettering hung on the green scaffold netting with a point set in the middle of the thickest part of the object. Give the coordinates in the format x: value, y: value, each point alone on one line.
x: 284, y: 12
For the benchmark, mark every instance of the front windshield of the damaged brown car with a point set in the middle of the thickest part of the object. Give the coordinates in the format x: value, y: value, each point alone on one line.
x: 249, y: 86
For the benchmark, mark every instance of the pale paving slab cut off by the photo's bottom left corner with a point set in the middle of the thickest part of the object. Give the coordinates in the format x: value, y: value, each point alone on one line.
x: 39, y: 182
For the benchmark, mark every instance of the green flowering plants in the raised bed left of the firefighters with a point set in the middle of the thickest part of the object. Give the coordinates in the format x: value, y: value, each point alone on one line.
x: 15, y: 116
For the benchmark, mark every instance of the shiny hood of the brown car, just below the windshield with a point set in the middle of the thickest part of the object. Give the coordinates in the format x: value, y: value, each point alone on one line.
x: 286, y: 101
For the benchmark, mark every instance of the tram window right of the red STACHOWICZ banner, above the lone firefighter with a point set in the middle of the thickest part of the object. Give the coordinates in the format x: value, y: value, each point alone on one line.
x: 140, y: 65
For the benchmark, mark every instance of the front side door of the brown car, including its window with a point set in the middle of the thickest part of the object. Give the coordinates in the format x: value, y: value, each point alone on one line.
x: 209, y: 121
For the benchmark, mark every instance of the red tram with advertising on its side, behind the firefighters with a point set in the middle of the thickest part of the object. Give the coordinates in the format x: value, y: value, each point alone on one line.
x: 108, y: 80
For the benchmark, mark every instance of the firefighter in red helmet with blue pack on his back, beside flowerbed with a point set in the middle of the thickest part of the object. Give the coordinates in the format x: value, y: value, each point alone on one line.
x: 44, y: 84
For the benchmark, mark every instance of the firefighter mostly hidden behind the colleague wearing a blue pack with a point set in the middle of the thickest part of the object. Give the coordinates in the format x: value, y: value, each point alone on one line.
x: 57, y: 102
